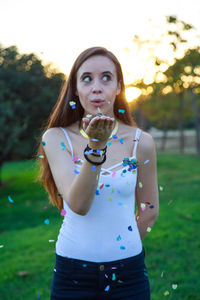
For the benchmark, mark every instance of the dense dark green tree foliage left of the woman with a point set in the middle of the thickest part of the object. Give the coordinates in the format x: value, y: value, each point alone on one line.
x: 28, y: 91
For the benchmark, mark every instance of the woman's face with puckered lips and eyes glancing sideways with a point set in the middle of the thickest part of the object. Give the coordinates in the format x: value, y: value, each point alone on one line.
x: 97, y: 85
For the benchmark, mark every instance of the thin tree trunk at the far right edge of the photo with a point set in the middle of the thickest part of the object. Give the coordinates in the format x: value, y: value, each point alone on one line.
x: 196, y: 120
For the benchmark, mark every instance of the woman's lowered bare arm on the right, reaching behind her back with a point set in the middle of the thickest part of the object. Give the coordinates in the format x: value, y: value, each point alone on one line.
x: 147, y: 186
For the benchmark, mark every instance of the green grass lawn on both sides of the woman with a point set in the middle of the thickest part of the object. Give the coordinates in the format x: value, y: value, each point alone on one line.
x: 172, y: 247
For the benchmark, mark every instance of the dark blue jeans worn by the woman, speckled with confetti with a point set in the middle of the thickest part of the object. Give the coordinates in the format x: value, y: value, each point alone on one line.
x: 124, y: 279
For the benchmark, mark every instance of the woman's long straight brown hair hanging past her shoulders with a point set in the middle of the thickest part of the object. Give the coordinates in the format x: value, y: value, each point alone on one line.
x: 63, y: 115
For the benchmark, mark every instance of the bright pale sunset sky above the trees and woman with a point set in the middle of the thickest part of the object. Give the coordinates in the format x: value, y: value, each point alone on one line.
x: 59, y: 30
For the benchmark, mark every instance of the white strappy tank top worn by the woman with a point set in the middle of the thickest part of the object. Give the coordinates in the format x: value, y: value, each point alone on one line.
x: 109, y: 230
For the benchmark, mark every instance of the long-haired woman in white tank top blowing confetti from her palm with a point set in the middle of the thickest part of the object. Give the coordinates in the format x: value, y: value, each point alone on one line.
x: 96, y: 163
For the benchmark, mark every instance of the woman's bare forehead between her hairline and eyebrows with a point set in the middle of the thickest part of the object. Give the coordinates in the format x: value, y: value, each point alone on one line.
x: 97, y: 64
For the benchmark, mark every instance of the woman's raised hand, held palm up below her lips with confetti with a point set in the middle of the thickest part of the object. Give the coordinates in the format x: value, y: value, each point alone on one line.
x: 99, y: 128
